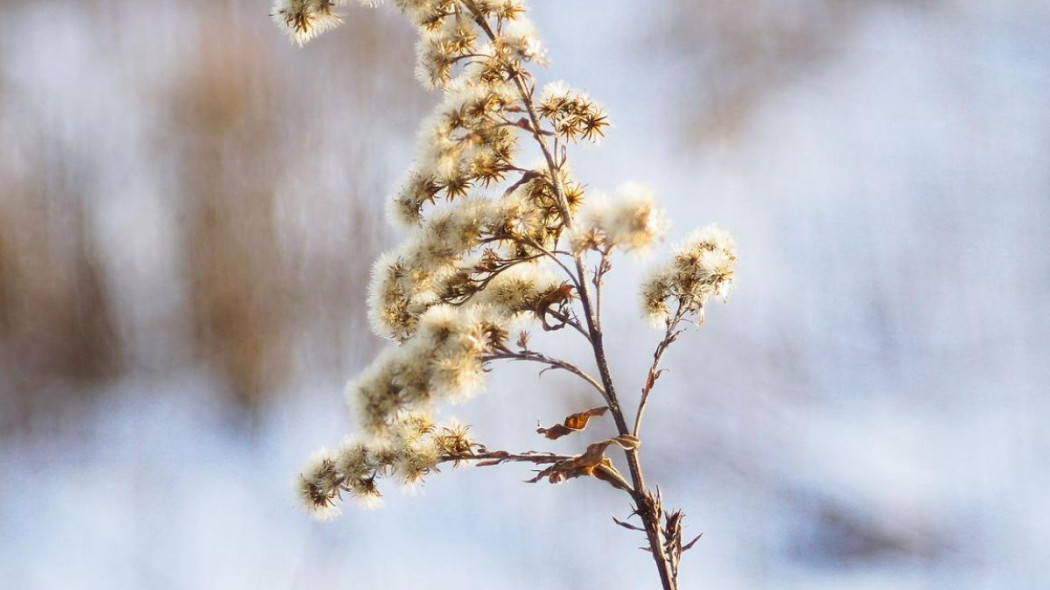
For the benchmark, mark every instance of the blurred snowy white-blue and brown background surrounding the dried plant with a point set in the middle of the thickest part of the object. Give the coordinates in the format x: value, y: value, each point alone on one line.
x: 190, y: 208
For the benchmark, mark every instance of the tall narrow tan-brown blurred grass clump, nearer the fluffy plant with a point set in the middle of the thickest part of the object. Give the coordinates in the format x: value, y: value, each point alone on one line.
x: 243, y: 296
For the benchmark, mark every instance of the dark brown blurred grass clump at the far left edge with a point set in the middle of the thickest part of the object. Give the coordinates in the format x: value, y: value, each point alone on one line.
x: 57, y: 324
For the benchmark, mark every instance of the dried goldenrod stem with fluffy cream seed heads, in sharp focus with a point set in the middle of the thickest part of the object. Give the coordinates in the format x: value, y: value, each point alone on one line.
x: 497, y: 249
